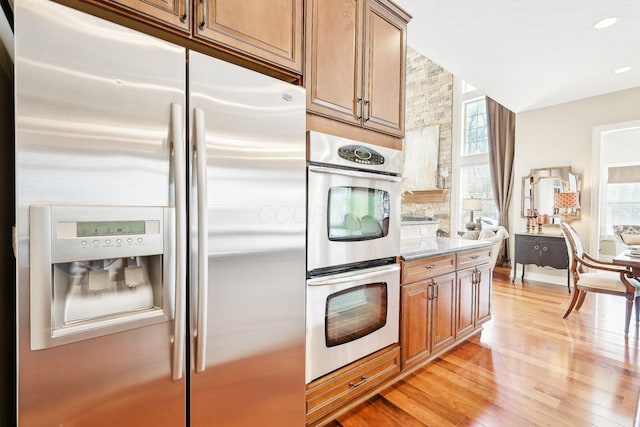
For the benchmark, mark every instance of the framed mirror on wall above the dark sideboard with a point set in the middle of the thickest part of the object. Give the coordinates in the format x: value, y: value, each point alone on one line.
x: 552, y: 193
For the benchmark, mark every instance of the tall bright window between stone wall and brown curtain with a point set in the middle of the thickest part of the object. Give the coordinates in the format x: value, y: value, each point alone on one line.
x: 473, y: 160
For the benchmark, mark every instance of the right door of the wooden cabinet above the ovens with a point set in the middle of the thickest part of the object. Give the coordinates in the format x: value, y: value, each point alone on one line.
x: 384, y: 70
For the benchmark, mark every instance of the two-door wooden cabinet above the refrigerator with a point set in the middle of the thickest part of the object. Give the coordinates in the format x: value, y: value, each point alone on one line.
x: 266, y: 31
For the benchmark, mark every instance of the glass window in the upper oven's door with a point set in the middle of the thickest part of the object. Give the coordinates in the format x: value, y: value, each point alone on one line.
x: 357, y: 213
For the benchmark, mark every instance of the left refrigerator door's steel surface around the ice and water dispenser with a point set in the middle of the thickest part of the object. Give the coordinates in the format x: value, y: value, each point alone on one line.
x: 93, y: 117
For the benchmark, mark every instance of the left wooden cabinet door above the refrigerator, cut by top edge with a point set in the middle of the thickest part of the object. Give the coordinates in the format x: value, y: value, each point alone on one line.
x: 175, y: 13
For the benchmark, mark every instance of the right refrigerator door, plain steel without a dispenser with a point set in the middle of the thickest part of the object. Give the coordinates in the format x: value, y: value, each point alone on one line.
x: 248, y: 349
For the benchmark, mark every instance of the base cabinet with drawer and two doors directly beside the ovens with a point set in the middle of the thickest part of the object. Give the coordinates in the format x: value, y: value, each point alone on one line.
x: 427, y: 309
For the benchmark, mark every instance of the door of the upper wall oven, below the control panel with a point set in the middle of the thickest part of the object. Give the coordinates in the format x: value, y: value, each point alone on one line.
x: 353, y: 216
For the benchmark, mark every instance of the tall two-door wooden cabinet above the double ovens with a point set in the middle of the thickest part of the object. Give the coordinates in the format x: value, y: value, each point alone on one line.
x: 355, y: 62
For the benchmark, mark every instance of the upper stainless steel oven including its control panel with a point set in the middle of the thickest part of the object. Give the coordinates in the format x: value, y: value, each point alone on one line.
x: 353, y: 202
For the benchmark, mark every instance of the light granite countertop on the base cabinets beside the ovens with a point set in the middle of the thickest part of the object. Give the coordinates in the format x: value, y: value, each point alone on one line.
x: 423, y: 247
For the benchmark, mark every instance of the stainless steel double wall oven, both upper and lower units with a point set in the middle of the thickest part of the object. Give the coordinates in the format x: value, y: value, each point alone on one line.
x: 353, y: 240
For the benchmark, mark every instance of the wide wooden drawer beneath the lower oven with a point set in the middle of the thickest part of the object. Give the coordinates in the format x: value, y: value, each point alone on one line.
x: 332, y: 391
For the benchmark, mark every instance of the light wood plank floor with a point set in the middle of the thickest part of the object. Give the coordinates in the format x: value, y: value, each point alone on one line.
x: 529, y: 367
